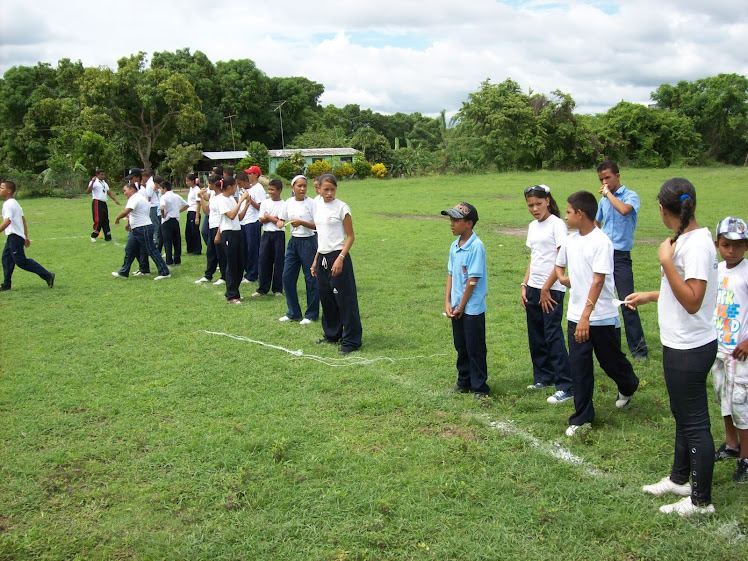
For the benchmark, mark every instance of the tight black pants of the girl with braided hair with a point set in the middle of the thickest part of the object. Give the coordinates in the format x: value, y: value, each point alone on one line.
x: 685, y: 377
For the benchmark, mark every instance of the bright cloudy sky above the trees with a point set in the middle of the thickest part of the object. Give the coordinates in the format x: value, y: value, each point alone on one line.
x: 403, y: 55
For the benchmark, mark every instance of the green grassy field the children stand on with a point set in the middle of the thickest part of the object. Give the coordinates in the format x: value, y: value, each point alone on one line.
x: 130, y: 432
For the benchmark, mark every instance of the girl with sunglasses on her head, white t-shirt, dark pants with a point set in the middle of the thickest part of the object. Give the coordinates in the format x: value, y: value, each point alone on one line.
x: 542, y: 296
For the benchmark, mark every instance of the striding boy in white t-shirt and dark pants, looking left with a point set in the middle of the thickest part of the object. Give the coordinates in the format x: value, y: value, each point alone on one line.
x: 593, y: 321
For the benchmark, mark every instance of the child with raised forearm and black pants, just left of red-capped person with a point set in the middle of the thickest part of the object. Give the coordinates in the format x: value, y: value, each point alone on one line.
x: 229, y: 236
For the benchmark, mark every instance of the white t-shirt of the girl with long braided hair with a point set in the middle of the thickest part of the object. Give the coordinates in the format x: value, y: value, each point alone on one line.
x: 695, y: 257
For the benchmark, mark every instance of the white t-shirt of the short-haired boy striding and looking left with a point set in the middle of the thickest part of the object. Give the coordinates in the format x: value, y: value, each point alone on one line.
x: 583, y: 256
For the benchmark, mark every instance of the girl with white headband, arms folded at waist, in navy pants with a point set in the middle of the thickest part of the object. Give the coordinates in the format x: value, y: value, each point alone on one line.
x: 299, y: 212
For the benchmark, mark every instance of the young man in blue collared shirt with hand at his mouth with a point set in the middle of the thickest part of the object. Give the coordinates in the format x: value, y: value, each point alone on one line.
x: 617, y: 215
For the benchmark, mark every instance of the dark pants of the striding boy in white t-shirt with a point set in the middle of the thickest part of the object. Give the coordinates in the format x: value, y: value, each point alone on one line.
x: 605, y: 341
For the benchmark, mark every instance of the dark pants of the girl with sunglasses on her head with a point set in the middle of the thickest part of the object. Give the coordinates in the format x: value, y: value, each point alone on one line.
x: 550, y: 361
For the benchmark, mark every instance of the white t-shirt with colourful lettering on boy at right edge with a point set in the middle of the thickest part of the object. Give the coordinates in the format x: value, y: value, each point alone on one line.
x: 731, y: 312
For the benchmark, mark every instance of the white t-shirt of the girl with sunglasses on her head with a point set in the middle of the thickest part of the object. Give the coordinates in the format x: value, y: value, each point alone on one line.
x: 543, y: 238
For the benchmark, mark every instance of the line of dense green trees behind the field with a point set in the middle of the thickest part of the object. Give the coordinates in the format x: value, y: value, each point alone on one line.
x: 59, y: 123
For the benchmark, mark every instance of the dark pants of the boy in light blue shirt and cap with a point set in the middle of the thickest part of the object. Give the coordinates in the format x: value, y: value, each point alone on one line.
x: 469, y: 335
